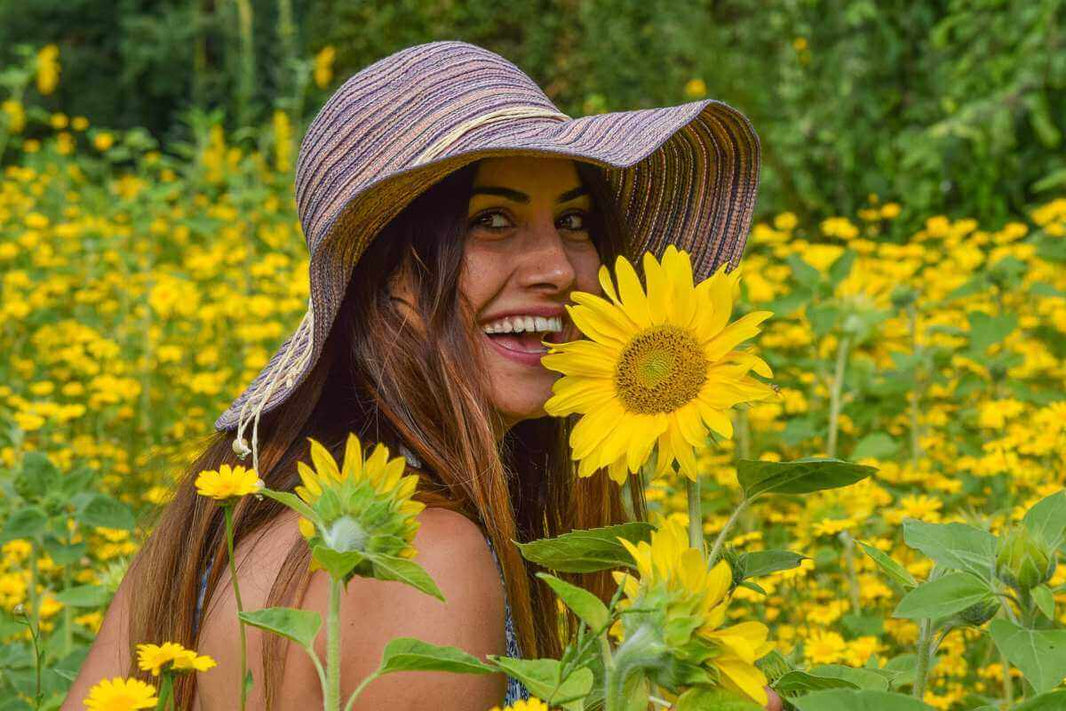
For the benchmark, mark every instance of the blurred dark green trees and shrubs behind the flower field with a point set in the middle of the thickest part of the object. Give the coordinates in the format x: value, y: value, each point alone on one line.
x: 954, y: 107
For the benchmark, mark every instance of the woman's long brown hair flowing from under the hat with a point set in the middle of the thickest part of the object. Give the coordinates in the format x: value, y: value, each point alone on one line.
x: 405, y: 381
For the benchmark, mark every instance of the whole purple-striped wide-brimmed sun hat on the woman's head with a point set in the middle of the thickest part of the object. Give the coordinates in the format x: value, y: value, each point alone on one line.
x: 684, y: 175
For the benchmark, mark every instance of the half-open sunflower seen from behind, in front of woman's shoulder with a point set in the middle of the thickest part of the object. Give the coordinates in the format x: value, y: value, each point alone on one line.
x: 363, y: 507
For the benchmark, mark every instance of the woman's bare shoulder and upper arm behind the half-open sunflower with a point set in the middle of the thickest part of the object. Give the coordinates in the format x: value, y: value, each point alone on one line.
x: 455, y: 553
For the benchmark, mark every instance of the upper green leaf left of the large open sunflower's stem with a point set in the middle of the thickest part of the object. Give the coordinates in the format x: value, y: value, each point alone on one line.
x: 587, y: 551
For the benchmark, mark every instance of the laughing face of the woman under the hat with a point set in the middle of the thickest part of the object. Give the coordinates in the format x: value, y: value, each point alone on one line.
x: 528, y: 247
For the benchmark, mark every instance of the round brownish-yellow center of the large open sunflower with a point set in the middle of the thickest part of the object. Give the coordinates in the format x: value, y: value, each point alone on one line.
x: 660, y: 370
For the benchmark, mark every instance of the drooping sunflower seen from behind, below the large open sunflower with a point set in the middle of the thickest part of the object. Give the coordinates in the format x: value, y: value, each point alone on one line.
x: 683, y: 605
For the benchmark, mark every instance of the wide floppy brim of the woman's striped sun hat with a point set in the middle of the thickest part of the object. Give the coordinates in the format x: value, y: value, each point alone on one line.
x: 685, y: 175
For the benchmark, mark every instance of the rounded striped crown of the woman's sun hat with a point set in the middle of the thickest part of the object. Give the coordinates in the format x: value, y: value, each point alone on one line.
x: 381, y: 117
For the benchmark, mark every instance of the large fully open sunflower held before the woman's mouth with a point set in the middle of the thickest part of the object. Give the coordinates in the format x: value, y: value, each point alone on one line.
x: 658, y: 367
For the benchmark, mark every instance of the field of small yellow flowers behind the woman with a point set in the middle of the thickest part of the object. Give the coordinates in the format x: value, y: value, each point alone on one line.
x: 141, y: 289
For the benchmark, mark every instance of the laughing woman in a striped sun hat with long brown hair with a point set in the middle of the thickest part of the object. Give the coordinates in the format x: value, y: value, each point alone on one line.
x: 431, y: 345
